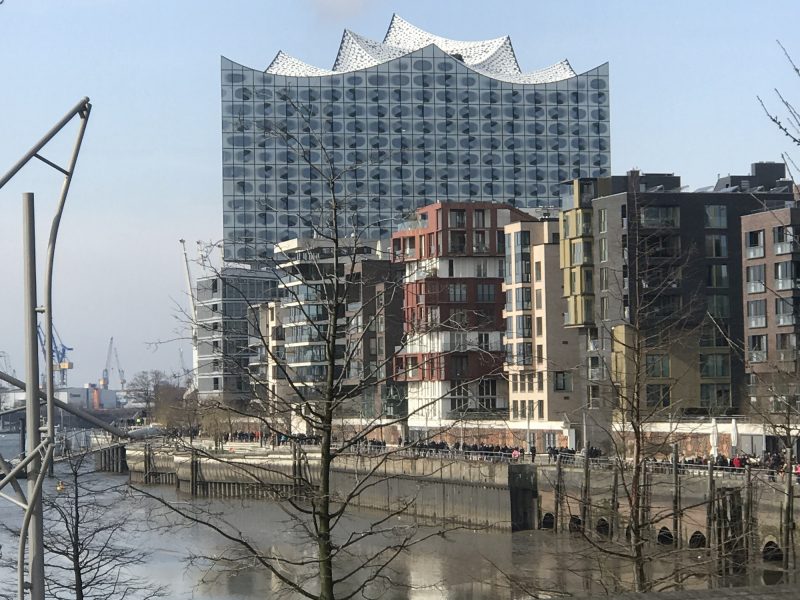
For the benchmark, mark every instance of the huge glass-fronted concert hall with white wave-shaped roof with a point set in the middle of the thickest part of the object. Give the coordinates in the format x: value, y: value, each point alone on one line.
x: 405, y: 122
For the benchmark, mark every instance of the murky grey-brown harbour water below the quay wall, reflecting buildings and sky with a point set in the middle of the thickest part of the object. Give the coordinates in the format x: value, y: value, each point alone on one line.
x: 460, y: 565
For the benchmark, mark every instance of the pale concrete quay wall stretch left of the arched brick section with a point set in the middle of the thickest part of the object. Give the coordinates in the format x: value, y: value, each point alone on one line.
x: 431, y: 489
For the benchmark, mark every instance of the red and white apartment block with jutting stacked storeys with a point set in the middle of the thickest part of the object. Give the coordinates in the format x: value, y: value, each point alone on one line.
x: 454, y: 259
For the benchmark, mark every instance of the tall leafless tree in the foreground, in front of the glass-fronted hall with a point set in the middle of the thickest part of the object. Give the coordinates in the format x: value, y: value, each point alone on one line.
x: 332, y: 295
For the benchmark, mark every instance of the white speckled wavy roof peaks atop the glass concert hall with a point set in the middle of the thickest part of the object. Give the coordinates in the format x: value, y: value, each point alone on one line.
x: 493, y: 58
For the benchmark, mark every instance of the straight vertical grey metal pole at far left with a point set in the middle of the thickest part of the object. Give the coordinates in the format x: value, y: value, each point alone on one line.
x: 32, y: 416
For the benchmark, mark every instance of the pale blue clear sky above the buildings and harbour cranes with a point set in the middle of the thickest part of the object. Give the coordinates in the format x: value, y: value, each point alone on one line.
x: 684, y: 81
